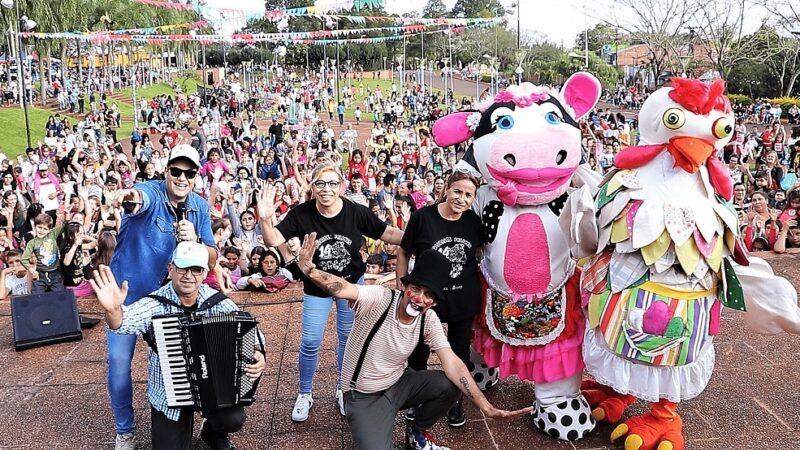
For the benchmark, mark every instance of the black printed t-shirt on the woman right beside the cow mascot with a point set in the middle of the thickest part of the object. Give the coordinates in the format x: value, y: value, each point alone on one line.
x: 458, y: 240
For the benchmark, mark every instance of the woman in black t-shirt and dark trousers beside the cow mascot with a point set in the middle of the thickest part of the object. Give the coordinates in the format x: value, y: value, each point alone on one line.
x: 454, y: 230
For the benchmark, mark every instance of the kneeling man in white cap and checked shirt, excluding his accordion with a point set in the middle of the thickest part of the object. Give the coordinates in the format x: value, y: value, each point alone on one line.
x: 171, y: 428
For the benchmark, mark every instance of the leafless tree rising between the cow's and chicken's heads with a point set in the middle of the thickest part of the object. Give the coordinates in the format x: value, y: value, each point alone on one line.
x: 658, y: 24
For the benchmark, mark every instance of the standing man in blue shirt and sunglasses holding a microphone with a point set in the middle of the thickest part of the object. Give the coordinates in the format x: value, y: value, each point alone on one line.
x: 158, y: 215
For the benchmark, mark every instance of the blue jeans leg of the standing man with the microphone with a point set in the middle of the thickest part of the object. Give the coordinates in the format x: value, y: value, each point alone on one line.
x: 120, y: 385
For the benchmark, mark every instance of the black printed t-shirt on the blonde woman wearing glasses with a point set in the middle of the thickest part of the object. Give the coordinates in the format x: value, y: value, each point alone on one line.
x: 338, y: 238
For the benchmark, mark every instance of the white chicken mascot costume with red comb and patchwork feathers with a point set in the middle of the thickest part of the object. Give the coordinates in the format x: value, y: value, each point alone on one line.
x: 666, y: 256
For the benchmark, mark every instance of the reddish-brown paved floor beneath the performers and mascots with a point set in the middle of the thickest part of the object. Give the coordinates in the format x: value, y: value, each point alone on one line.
x: 55, y: 397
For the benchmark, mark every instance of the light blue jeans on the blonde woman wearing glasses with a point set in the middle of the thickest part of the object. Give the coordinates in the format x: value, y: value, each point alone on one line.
x: 315, y: 316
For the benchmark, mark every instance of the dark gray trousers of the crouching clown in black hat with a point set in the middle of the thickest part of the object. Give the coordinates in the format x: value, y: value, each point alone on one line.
x: 372, y: 416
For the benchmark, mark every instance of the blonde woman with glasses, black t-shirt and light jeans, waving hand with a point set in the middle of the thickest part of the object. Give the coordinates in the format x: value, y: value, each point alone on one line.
x: 340, y: 226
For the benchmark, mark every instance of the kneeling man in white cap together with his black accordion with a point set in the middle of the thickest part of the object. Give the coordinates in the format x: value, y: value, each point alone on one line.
x: 183, y: 301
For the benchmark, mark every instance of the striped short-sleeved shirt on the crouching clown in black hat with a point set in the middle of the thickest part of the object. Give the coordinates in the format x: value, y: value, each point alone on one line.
x: 391, y: 345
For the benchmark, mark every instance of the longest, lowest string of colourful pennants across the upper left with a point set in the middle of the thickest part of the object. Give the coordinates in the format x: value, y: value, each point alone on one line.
x: 318, y: 37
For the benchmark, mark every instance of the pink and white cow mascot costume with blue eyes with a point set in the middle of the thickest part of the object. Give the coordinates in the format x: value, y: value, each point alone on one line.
x: 527, y: 147
